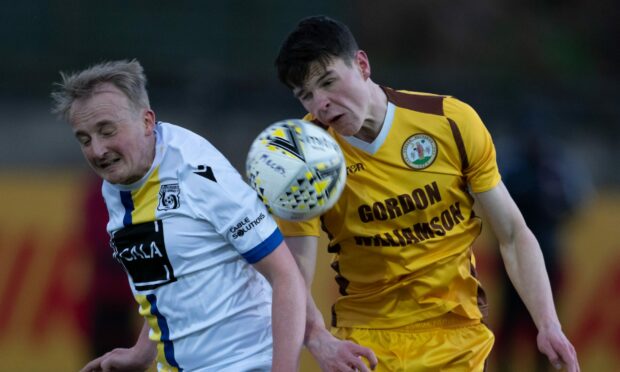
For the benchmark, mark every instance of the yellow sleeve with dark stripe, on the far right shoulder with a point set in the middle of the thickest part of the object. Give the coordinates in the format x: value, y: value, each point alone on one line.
x: 481, y: 172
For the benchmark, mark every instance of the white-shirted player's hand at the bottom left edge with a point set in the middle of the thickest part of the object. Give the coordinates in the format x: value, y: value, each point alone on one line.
x: 120, y: 360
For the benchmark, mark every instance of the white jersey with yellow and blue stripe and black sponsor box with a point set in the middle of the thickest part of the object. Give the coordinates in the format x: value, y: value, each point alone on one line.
x: 186, y: 234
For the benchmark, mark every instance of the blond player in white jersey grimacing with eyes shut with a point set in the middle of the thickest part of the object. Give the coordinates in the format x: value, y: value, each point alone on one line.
x: 193, y: 238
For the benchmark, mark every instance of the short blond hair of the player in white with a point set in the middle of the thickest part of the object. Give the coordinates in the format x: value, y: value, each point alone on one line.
x: 126, y: 75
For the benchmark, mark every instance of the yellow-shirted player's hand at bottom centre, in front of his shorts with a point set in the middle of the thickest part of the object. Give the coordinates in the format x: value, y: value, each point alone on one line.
x: 334, y: 355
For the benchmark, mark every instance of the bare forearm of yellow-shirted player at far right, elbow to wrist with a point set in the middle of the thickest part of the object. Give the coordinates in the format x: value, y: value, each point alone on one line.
x: 526, y: 268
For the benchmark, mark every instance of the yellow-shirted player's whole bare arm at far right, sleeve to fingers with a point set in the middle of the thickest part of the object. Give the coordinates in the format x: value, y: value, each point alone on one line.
x: 525, y: 266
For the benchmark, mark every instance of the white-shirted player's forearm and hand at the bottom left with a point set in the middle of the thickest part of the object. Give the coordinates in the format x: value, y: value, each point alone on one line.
x: 137, y: 358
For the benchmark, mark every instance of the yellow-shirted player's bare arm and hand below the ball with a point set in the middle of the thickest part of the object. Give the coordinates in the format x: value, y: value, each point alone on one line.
x: 331, y: 354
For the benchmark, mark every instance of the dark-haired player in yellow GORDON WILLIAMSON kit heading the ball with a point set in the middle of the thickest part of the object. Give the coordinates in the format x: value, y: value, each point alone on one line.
x: 403, y: 228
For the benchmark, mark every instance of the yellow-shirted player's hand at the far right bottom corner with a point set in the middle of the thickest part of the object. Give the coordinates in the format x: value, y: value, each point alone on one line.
x: 553, y: 343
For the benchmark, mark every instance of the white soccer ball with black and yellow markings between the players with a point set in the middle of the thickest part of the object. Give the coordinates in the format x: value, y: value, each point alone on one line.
x: 297, y: 169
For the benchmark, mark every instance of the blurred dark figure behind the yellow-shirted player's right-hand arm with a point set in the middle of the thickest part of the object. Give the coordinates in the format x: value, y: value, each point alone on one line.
x: 546, y: 192
